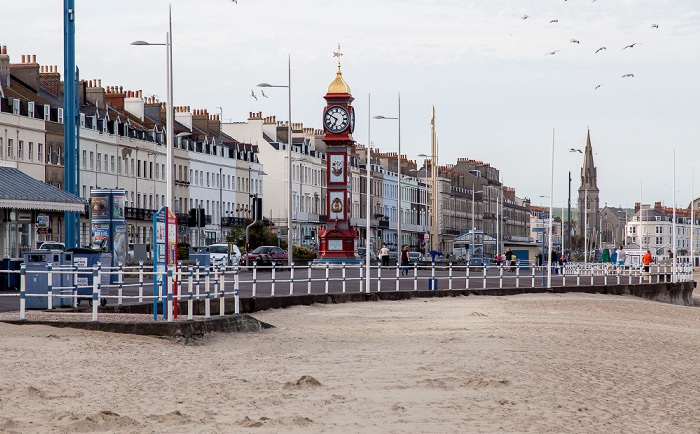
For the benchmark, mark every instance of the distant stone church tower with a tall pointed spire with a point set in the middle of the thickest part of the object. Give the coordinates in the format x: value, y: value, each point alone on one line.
x: 588, y: 205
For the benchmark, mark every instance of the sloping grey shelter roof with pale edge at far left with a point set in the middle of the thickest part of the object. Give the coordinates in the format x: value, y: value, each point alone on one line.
x: 21, y: 191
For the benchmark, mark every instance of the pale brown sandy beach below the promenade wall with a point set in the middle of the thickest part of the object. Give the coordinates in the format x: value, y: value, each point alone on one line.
x: 530, y: 363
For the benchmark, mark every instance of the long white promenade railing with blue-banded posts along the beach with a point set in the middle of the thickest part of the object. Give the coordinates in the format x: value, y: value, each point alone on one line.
x: 67, y: 285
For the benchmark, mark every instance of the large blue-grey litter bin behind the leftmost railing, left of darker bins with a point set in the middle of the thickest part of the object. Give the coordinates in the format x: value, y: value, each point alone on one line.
x: 37, y: 279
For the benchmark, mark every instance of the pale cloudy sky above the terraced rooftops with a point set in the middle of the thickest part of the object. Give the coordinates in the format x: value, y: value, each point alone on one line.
x: 498, y: 96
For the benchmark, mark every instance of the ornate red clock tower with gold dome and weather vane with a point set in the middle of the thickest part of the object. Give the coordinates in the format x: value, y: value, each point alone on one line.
x: 337, y: 239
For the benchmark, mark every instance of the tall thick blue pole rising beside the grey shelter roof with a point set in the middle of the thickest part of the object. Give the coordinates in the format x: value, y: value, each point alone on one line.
x: 69, y: 169
